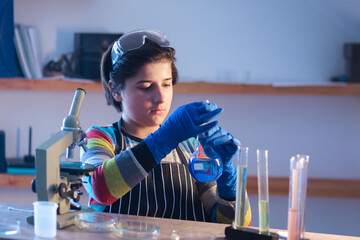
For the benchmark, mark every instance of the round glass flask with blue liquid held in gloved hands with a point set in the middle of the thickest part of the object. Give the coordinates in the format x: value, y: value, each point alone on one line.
x: 203, y: 168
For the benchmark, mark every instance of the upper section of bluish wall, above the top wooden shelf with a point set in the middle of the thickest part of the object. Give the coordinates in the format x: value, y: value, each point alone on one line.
x: 234, y: 40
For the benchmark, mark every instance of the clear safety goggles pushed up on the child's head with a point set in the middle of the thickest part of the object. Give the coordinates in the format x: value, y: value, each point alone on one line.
x: 134, y: 40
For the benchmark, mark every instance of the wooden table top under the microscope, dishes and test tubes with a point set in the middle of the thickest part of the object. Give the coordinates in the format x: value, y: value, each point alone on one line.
x: 166, y: 227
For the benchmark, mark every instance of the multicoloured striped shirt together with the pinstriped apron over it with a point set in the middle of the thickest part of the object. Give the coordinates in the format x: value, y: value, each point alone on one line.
x: 128, y: 180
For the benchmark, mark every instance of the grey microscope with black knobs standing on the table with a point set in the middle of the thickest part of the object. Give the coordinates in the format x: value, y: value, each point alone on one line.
x: 58, y: 181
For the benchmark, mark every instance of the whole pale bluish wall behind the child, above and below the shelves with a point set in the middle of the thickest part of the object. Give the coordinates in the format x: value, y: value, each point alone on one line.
x: 252, y: 41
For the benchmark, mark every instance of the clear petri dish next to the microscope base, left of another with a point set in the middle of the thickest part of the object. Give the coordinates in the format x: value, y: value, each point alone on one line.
x: 95, y: 221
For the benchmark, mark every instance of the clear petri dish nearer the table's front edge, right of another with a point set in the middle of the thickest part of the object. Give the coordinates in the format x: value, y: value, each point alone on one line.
x: 136, y: 230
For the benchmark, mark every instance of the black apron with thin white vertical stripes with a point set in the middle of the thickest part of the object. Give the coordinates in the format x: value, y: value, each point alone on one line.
x: 167, y: 192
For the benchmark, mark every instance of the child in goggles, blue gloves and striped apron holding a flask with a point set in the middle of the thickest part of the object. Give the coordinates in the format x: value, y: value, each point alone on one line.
x: 142, y: 160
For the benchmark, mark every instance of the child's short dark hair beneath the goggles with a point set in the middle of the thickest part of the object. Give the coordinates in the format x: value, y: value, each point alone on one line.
x: 130, y: 63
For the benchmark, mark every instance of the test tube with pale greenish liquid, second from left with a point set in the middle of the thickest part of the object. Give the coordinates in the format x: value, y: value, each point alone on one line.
x: 263, y: 190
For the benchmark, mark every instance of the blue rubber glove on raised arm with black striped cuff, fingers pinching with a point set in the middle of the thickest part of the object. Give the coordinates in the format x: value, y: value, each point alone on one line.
x: 186, y: 122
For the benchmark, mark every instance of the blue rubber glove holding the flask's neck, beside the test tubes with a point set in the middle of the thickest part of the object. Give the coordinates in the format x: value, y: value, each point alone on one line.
x: 221, y: 144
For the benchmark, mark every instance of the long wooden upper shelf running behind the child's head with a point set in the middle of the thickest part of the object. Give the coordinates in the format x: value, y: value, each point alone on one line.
x: 352, y: 89
